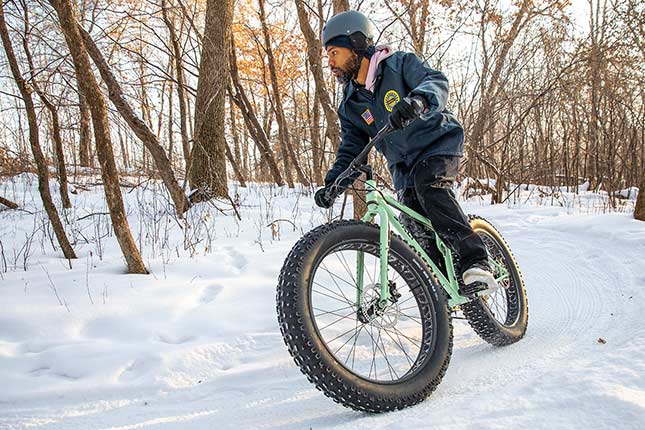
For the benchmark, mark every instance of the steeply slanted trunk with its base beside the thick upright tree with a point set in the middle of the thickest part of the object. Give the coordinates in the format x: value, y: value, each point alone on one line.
x: 143, y: 132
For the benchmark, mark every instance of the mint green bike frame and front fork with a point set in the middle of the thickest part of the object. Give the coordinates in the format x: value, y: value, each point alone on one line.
x: 381, y: 205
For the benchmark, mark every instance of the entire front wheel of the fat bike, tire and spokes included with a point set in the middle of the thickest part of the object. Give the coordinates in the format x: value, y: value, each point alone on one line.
x: 365, y: 356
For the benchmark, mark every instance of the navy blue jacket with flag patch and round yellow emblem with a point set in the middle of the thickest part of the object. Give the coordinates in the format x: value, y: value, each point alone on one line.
x: 362, y: 113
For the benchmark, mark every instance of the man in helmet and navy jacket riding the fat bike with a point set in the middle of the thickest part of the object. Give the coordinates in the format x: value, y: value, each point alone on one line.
x: 423, y: 153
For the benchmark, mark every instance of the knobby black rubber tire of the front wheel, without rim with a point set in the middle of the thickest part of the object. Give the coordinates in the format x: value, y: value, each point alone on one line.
x: 308, y: 349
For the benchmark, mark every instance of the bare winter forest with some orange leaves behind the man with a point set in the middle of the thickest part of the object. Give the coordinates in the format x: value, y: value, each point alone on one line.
x: 196, y: 93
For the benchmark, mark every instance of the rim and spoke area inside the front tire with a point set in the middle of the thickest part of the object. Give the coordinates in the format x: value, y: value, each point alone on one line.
x: 387, y: 348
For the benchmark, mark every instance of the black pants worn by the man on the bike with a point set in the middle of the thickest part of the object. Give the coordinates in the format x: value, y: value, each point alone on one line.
x: 433, y: 198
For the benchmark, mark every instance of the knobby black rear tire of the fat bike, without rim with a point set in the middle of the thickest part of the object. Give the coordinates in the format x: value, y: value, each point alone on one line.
x: 479, y: 315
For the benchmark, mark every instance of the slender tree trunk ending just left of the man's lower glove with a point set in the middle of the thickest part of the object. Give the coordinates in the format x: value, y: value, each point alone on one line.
x: 283, y: 129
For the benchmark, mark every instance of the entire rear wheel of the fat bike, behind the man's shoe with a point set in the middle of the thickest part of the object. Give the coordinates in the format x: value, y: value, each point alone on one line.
x: 502, y: 317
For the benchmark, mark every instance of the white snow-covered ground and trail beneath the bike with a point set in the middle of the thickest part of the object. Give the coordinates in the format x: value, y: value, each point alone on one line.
x: 197, y: 346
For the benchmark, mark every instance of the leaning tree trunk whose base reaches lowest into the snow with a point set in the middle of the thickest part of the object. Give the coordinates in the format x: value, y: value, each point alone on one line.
x: 67, y: 17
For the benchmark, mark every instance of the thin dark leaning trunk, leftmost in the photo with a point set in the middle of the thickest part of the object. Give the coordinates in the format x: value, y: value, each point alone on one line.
x: 43, y: 173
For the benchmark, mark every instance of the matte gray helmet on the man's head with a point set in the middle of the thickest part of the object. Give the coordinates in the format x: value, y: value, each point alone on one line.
x: 353, y: 24
